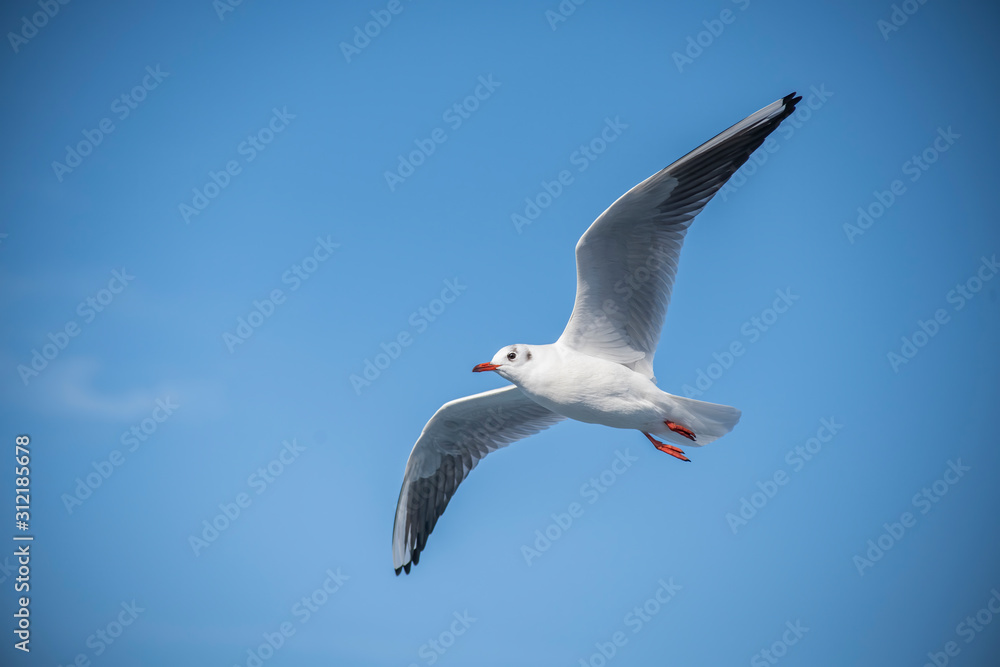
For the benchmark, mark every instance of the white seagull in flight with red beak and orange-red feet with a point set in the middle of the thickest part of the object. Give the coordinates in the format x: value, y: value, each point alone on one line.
x: 600, y: 370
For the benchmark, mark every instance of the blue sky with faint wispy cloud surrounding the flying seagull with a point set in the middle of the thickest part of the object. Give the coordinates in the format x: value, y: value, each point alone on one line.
x: 219, y: 249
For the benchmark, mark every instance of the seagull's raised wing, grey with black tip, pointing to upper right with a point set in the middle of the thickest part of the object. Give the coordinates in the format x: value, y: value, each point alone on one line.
x: 626, y: 261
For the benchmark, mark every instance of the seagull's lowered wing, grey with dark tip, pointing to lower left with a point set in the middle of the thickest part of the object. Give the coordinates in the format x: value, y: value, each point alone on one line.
x: 459, y: 434
